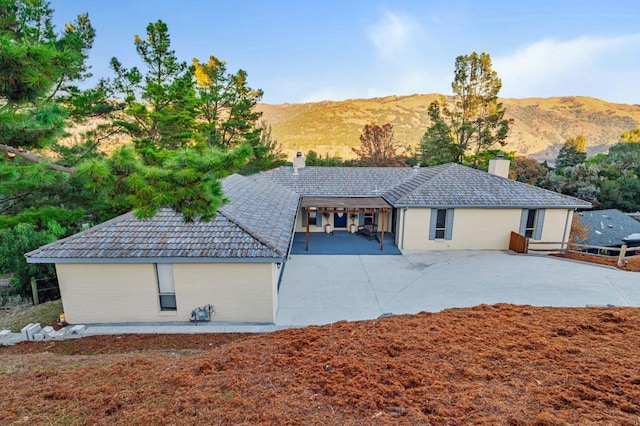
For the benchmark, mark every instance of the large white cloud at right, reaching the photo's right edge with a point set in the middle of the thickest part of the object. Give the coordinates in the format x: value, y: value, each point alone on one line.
x: 589, y: 66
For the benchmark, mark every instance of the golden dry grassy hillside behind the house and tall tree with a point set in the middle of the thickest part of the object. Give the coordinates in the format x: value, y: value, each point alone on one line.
x: 540, y: 124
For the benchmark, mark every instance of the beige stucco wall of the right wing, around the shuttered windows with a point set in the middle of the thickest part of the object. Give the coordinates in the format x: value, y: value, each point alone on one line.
x: 473, y: 229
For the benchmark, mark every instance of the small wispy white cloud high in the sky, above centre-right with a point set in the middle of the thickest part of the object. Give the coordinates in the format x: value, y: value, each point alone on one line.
x: 392, y: 35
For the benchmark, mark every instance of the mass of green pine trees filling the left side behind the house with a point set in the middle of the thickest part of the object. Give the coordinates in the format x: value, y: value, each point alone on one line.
x: 188, y: 131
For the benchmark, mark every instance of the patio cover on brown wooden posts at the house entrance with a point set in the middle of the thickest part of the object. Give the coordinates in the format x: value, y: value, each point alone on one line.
x: 376, y: 206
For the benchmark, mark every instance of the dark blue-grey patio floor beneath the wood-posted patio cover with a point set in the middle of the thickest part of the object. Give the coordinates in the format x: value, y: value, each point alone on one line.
x: 343, y: 243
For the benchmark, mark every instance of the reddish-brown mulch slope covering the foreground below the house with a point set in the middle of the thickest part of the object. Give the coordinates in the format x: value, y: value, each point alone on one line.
x: 494, y: 365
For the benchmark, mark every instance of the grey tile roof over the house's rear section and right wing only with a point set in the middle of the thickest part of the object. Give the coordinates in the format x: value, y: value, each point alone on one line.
x: 446, y: 185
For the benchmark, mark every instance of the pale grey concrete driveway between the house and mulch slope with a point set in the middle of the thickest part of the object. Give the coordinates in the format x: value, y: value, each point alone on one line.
x: 328, y: 288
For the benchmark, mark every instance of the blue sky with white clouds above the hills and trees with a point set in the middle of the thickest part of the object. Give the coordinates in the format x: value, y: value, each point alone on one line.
x: 303, y: 51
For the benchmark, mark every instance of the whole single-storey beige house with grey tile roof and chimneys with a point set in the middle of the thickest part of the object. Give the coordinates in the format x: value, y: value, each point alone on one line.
x: 160, y: 269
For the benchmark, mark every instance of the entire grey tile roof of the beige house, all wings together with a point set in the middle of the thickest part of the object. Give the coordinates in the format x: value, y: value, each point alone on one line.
x: 258, y: 222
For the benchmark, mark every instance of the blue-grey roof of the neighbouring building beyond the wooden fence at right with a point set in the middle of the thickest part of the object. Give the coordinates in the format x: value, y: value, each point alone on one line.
x: 608, y: 227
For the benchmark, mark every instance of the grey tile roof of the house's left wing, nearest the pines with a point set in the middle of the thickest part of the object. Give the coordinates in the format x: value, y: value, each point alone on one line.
x: 246, y: 228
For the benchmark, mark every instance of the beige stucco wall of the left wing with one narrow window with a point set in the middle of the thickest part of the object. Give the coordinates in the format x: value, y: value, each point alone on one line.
x: 91, y: 293
